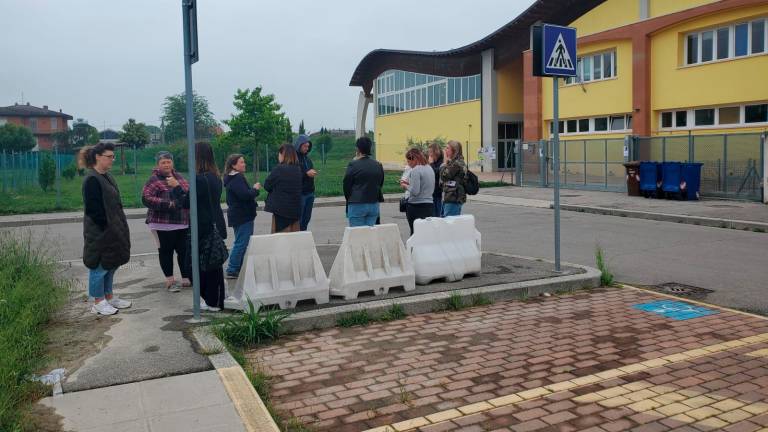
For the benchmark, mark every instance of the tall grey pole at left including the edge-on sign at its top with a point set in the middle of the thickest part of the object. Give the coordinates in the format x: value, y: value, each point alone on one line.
x: 189, y: 15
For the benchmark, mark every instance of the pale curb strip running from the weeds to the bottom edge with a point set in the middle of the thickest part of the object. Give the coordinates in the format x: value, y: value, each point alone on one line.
x: 247, y: 402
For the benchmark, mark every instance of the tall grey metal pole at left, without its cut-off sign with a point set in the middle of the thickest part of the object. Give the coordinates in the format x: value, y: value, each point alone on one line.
x: 191, y: 164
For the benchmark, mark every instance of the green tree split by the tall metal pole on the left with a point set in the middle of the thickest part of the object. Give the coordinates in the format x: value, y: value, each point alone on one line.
x: 174, y: 117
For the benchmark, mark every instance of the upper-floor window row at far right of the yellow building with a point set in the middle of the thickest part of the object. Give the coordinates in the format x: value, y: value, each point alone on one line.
x: 738, y: 40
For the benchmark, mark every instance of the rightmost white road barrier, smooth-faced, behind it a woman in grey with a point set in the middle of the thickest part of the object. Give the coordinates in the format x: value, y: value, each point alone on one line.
x: 445, y: 248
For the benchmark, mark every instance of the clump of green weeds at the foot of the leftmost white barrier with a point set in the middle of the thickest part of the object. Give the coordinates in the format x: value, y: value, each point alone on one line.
x: 252, y: 327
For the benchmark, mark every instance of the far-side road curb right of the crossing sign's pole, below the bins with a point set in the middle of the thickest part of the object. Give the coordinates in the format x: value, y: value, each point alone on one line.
x: 666, y: 217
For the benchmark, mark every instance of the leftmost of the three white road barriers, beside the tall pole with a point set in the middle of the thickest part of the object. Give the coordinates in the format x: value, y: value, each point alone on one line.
x: 280, y: 269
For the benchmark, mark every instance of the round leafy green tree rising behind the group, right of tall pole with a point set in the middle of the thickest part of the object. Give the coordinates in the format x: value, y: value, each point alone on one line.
x: 258, y: 122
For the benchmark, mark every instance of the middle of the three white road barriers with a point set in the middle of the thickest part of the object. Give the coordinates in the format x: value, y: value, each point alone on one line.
x: 371, y: 259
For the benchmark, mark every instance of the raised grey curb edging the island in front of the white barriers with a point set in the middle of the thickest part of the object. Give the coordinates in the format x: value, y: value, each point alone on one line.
x: 426, y: 303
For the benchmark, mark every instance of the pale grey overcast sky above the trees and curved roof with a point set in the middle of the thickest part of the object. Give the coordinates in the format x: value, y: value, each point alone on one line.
x: 109, y: 60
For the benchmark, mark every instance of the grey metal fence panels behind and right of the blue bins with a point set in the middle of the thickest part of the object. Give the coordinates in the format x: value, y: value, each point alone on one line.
x: 732, y: 164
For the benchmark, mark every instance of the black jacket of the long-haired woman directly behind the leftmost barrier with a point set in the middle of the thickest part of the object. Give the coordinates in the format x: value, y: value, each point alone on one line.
x: 284, y: 187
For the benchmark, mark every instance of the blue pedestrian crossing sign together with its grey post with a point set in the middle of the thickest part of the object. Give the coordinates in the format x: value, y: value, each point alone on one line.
x: 554, y: 55
